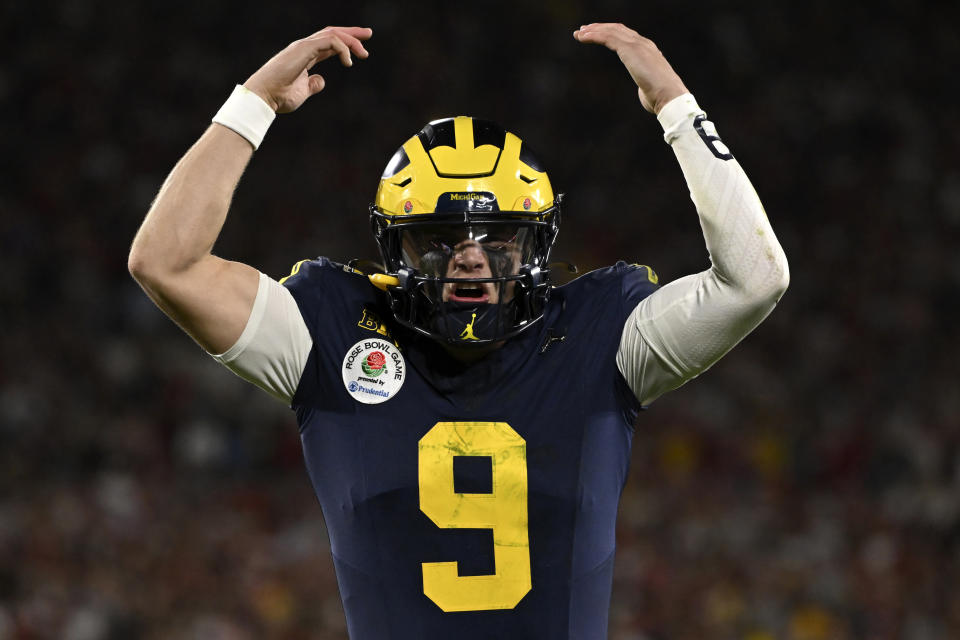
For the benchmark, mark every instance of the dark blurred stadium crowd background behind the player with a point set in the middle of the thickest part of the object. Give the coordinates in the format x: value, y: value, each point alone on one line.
x: 806, y: 488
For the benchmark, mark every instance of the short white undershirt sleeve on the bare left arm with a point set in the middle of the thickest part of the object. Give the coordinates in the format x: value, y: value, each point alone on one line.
x: 273, y: 348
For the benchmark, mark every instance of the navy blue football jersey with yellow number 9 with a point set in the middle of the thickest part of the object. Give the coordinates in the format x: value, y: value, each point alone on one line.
x: 468, y: 501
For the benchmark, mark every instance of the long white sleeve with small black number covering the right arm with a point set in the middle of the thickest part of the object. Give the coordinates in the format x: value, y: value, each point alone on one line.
x: 681, y: 329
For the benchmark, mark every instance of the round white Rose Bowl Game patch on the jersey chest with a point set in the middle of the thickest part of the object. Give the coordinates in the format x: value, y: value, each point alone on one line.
x: 373, y: 371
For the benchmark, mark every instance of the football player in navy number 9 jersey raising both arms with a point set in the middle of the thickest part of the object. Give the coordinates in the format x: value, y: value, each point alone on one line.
x: 466, y: 425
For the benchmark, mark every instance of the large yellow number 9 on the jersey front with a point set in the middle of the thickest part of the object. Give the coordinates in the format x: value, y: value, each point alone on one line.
x: 504, y: 511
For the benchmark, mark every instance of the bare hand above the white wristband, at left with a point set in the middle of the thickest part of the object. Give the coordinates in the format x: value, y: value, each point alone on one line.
x: 285, y: 81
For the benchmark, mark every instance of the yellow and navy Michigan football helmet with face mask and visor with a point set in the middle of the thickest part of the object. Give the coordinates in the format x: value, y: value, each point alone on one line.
x: 465, y: 217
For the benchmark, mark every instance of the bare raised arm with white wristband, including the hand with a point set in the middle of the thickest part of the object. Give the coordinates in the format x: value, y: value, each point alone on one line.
x: 209, y: 297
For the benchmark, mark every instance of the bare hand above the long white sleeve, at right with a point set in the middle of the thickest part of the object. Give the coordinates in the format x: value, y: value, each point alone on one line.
x: 657, y: 82
